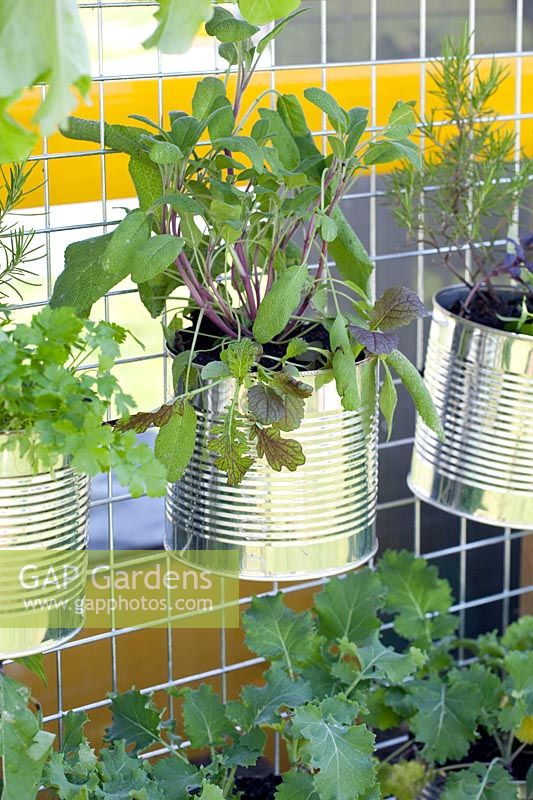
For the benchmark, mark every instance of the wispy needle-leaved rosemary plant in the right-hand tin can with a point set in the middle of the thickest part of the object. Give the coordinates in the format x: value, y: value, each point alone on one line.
x: 463, y: 201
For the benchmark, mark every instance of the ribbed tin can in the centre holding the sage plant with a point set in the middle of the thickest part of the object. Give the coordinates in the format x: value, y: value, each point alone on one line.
x: 313, y: 522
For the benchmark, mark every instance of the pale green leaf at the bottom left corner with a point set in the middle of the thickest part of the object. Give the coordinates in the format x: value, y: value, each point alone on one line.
x: 24, y: 747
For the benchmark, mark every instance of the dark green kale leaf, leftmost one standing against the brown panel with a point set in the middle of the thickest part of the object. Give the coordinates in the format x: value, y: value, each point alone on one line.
x: 136, y: 720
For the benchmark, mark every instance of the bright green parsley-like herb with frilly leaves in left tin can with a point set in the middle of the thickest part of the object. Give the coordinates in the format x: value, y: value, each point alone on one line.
x: 54, y: 404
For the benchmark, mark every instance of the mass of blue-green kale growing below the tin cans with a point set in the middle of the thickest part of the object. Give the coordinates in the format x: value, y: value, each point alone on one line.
x: 332, y: 685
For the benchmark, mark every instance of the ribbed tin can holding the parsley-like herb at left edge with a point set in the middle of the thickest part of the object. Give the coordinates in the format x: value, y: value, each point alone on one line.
x: 43, y: 530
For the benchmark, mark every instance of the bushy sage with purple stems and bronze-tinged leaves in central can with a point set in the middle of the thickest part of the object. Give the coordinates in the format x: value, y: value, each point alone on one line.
x: 239, y: 220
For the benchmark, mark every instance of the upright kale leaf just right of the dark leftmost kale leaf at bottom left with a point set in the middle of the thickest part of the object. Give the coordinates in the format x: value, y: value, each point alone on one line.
x: 204, y: 717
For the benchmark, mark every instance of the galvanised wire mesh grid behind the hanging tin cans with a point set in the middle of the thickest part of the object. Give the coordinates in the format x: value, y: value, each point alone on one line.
x: 367, y: 52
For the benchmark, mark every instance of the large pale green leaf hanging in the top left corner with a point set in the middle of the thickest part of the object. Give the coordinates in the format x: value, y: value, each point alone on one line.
x: 44, y: 41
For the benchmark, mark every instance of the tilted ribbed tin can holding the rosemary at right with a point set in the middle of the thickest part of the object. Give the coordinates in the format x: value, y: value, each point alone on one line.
x: 481, y: 380
